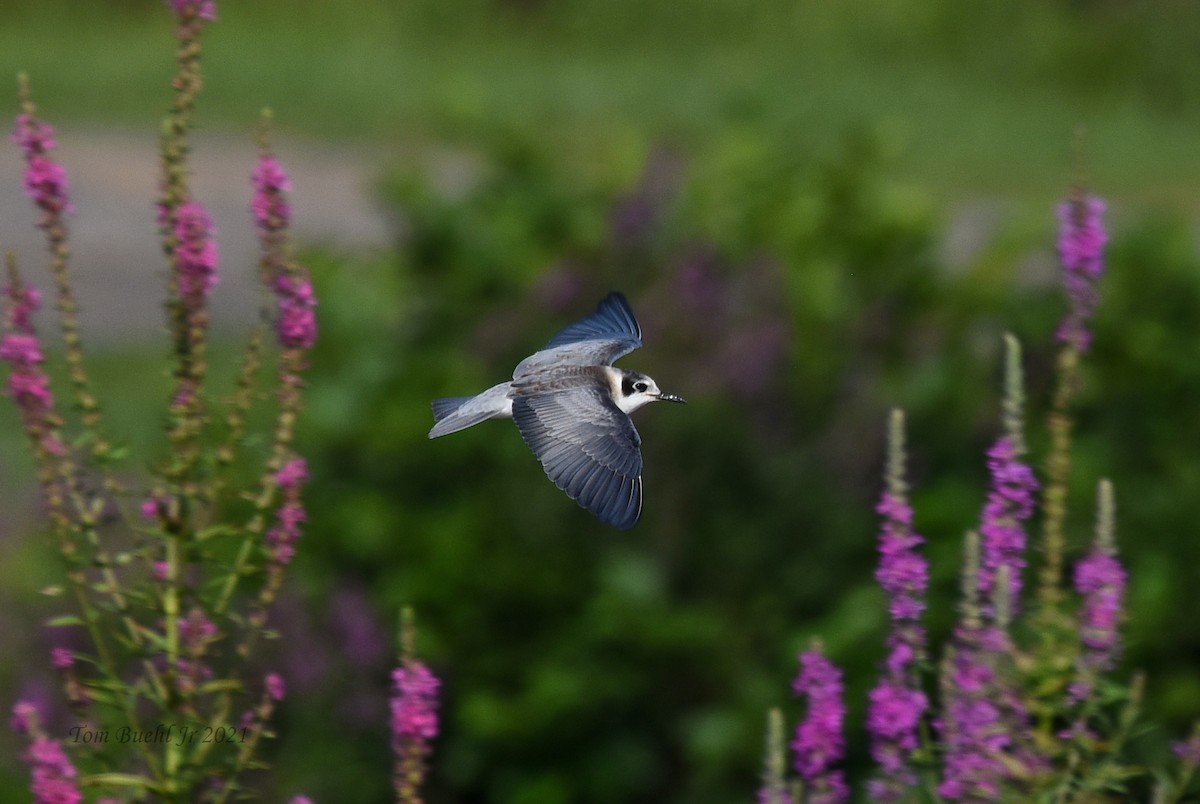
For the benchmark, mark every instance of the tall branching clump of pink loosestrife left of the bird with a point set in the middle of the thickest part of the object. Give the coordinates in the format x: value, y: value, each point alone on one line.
x: 171, y: 579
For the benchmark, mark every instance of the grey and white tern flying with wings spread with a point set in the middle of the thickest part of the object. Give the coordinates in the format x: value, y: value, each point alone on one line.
x: 573, y: 407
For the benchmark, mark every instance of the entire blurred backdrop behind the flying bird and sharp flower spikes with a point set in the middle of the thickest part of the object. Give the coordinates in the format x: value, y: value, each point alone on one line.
x: 820, y: 212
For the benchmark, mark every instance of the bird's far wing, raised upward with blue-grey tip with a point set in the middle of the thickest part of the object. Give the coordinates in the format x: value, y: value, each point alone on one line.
x: 610, y: 333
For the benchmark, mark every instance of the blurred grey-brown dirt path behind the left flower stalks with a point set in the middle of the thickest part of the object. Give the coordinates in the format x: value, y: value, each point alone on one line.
x: 118, y: 266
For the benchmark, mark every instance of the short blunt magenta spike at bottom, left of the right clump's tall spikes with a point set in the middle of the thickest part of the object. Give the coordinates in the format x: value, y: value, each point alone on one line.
x: 820, y: 742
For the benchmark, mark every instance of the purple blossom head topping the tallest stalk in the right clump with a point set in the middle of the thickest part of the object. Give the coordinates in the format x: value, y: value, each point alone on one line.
x: 1082, y: 239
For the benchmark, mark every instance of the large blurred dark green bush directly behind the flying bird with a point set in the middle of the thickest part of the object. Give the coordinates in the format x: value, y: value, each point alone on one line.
x: 793, y: 302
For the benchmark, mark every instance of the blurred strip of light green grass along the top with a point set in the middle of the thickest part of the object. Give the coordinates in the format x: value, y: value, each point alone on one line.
x: 982, y: 103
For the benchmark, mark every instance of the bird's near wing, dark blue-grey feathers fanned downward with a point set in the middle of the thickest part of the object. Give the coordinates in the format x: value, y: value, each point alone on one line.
x: 589, y: 448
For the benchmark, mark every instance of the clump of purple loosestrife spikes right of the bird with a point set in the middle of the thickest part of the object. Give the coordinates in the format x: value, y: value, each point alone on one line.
x: 1015, y: 711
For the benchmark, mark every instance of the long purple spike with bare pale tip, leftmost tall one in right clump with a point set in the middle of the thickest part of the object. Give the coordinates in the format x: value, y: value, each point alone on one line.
x: 897, y: 704
